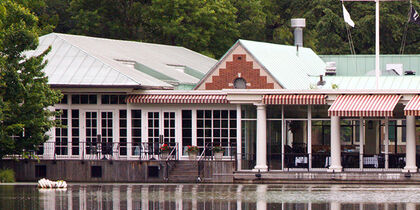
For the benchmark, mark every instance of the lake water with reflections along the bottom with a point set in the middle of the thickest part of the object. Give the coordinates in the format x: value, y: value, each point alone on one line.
x: 211, y: 196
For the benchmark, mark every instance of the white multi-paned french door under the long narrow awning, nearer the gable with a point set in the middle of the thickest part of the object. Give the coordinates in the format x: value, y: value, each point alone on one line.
x: 161, y: 129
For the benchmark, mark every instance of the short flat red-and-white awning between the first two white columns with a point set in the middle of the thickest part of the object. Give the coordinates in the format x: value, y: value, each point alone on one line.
x: 294, y: 99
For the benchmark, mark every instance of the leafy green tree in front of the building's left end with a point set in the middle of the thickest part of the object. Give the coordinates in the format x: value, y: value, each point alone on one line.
x: 24, y: 93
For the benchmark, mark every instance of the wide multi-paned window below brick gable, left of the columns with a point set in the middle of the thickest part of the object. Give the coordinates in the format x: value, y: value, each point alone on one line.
x: 217, y: 127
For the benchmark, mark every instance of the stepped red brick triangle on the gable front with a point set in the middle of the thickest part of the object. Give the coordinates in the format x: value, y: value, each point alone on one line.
x: 239, y: 68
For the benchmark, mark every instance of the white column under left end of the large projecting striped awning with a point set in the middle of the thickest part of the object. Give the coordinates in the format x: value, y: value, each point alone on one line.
x: 335, y: 145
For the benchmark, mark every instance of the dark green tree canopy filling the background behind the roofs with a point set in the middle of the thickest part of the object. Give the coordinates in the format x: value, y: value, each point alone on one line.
x: 212, y: 26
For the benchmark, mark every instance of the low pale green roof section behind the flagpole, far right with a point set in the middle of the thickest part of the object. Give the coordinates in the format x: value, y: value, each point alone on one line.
x: 361, y: 65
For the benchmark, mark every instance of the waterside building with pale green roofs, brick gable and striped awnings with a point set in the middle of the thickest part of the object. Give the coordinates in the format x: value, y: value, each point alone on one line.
x: 269, y: 107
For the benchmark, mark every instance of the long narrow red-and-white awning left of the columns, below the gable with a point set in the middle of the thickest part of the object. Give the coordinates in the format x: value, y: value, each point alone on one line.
x: 177, y: 99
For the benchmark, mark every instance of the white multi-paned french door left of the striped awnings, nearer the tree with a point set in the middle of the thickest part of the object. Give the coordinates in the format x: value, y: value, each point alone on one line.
x: 99, y: 130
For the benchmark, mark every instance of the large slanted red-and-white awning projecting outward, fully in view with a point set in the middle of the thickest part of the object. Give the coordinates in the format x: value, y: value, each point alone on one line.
x: 364, y: 105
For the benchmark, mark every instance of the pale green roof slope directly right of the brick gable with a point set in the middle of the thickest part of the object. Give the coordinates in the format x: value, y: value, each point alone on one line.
x: 289, y: 67
